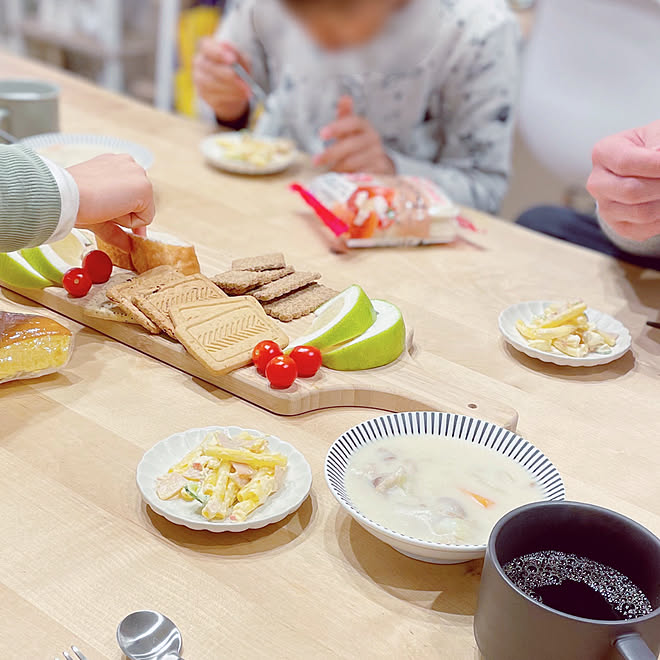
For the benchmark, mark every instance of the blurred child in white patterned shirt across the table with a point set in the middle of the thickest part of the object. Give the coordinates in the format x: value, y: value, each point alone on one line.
x: 415, y: 87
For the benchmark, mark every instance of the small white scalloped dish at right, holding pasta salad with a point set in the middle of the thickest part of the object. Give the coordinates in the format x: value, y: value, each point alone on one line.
x: 528, y: 310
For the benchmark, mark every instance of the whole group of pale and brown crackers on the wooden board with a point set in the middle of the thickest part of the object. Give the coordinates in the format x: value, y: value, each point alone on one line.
x: 218, y: 320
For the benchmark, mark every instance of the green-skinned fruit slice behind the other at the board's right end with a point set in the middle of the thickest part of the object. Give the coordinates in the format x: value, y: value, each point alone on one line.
x: 343, y: 318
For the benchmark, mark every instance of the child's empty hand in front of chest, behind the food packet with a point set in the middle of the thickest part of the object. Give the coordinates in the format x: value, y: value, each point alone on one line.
x: 357, y: 145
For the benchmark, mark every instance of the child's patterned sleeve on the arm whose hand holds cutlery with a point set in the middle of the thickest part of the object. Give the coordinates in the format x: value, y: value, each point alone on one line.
x: 240, y: 28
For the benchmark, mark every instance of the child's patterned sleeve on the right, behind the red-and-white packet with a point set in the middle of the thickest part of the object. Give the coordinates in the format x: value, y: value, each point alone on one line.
x: 475, y: 121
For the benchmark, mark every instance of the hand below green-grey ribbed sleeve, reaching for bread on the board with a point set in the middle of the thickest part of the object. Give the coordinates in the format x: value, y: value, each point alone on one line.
x: 114, y: 191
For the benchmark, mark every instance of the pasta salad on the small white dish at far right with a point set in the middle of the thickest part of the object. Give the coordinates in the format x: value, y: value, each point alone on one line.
x: 566, y: 328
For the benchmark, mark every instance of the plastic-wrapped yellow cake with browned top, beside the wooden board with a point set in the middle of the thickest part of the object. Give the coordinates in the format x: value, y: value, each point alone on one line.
x: 32, y: 346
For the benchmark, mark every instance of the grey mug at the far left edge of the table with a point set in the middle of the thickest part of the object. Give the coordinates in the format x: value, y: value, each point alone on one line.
x: 28, y: 107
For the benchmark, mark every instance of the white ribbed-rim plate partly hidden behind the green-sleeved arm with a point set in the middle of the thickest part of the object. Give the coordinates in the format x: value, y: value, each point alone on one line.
x: 66, y: 149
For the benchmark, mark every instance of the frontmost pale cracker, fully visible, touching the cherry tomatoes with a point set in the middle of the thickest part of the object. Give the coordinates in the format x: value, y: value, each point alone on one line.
x: 222, y: 333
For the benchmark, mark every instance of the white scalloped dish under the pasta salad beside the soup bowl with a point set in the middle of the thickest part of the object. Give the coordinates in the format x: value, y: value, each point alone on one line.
x: 160, y: 458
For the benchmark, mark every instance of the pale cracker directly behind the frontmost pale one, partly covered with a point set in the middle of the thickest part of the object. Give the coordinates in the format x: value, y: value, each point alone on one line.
x: 156, y: 305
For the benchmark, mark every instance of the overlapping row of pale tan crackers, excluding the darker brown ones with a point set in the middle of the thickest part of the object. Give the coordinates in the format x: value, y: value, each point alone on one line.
x: 219, y: 331
